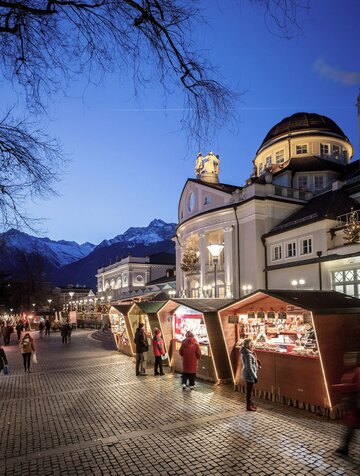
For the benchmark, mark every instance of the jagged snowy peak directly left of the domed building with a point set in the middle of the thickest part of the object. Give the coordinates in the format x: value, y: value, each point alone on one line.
x: 156, y: 231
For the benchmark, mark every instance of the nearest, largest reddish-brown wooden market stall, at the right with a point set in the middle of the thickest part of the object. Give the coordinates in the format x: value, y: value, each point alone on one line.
x: 300, y: 339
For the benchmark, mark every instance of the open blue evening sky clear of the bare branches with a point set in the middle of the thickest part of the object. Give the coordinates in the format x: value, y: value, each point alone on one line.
x: 129, y: 157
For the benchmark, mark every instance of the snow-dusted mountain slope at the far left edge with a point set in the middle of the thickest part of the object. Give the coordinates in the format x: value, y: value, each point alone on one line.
x: 58, y: 253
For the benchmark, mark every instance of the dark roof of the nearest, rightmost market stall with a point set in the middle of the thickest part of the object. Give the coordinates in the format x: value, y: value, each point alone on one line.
x: 321, y: 302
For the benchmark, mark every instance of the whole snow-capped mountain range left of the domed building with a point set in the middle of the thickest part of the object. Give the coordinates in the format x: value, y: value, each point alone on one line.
x: 63, y: 262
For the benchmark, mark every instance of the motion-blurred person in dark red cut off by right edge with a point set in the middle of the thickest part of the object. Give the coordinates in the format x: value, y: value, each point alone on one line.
x: 350, y: 383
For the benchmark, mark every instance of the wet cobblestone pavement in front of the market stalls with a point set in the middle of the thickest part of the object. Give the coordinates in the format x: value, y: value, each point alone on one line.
x: 82, y: 411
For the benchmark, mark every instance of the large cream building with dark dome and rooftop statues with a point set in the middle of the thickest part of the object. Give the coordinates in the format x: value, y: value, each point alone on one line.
x: 295, y: 222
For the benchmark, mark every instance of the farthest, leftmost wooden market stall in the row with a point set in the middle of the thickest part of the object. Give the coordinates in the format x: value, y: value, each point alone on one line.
x: 120, y: 327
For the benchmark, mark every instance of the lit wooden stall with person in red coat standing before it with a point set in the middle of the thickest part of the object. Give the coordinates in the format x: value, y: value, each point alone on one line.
x: 201, y: 317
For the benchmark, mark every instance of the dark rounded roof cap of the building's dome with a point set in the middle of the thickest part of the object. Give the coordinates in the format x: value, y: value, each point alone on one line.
x: 303, y: 122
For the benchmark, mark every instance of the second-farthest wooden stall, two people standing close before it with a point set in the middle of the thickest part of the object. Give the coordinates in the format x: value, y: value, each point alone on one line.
x: 146, y: 312
